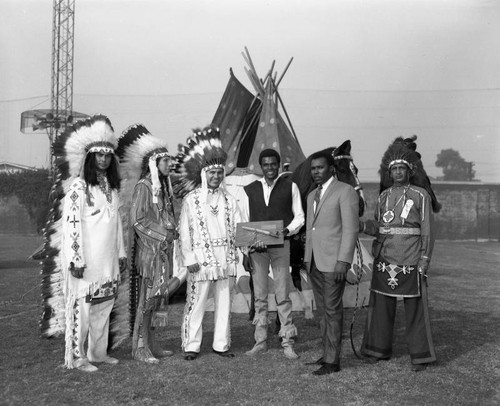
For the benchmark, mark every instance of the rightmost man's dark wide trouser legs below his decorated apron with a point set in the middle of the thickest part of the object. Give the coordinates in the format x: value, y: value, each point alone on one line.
x: 377, y: 341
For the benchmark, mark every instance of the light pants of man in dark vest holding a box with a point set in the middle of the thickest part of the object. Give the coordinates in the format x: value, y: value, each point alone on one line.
x: 279, y: 259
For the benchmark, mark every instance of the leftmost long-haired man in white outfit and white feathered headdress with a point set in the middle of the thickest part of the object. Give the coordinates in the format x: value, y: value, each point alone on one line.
x: 92, y: 251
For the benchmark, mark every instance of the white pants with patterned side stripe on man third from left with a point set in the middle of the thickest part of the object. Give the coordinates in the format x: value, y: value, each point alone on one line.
x: 196, y: 300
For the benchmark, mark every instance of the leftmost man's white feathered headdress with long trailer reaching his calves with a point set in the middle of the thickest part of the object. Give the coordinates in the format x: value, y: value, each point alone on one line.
x: 70, y: 149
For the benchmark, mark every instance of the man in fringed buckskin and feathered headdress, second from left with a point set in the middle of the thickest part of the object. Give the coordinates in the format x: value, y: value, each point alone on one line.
x: 146, y: 166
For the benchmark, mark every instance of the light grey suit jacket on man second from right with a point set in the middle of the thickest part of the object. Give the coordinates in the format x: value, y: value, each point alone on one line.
x: 332, y: 231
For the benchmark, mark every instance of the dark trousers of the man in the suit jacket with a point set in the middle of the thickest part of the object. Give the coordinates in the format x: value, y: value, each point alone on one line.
x: 328, y: 296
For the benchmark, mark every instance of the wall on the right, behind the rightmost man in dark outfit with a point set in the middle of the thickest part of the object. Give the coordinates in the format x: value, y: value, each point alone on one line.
x: 471, y: 211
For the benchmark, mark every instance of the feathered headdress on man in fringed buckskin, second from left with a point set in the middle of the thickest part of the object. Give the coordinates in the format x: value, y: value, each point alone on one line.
x: 138, y: 151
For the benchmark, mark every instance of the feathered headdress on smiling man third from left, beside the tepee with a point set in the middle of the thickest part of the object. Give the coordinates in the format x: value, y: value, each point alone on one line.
x: 202, y: 152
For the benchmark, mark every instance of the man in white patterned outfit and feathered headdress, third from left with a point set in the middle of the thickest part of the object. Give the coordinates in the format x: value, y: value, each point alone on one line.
x: 207, y: 228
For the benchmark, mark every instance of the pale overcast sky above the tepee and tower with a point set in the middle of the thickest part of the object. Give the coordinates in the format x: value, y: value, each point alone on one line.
x: 367, y: 71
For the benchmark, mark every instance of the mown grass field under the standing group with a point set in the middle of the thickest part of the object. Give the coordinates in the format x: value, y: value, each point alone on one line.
x: 464, y: 302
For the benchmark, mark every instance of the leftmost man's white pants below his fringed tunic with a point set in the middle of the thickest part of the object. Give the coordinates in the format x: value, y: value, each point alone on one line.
x: 92, y: 320
